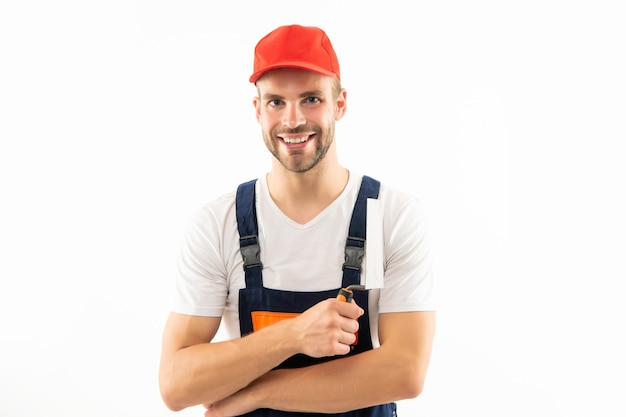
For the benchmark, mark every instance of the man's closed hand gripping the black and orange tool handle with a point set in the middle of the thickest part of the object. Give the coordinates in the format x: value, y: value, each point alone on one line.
x: 327, y: 329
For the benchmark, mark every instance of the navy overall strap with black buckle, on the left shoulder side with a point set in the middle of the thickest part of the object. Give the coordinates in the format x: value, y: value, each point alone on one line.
x: 245, y: 208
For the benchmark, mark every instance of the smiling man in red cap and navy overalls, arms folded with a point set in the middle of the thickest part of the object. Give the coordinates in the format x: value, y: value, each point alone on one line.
x: 267, y: 261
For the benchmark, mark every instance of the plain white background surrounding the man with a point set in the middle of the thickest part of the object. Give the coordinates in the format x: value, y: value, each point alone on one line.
x: 118, y: 119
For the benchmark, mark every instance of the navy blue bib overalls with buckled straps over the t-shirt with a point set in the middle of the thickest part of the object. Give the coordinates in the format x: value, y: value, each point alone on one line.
x: 256, y: 298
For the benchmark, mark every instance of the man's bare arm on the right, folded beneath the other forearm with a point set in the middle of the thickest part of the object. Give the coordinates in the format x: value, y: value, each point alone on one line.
x: 393, y: 372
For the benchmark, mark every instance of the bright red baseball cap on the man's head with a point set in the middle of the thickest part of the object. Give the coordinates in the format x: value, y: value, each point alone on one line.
x: 295, y: 46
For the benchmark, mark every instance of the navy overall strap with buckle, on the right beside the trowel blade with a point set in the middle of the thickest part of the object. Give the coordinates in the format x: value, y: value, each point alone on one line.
x: 355, y: 243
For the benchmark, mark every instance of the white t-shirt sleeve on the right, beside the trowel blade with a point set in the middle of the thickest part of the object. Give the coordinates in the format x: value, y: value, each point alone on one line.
x: 408, y: 276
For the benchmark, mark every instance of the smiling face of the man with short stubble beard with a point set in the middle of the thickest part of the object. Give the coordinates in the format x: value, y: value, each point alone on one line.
x: 297, y: 111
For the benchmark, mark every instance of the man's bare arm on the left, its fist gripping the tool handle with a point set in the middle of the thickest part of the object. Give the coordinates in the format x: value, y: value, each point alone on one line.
x: 195, y: 371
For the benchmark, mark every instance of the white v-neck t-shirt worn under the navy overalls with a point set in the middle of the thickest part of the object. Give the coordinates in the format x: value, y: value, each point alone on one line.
x: 302, y: 257
